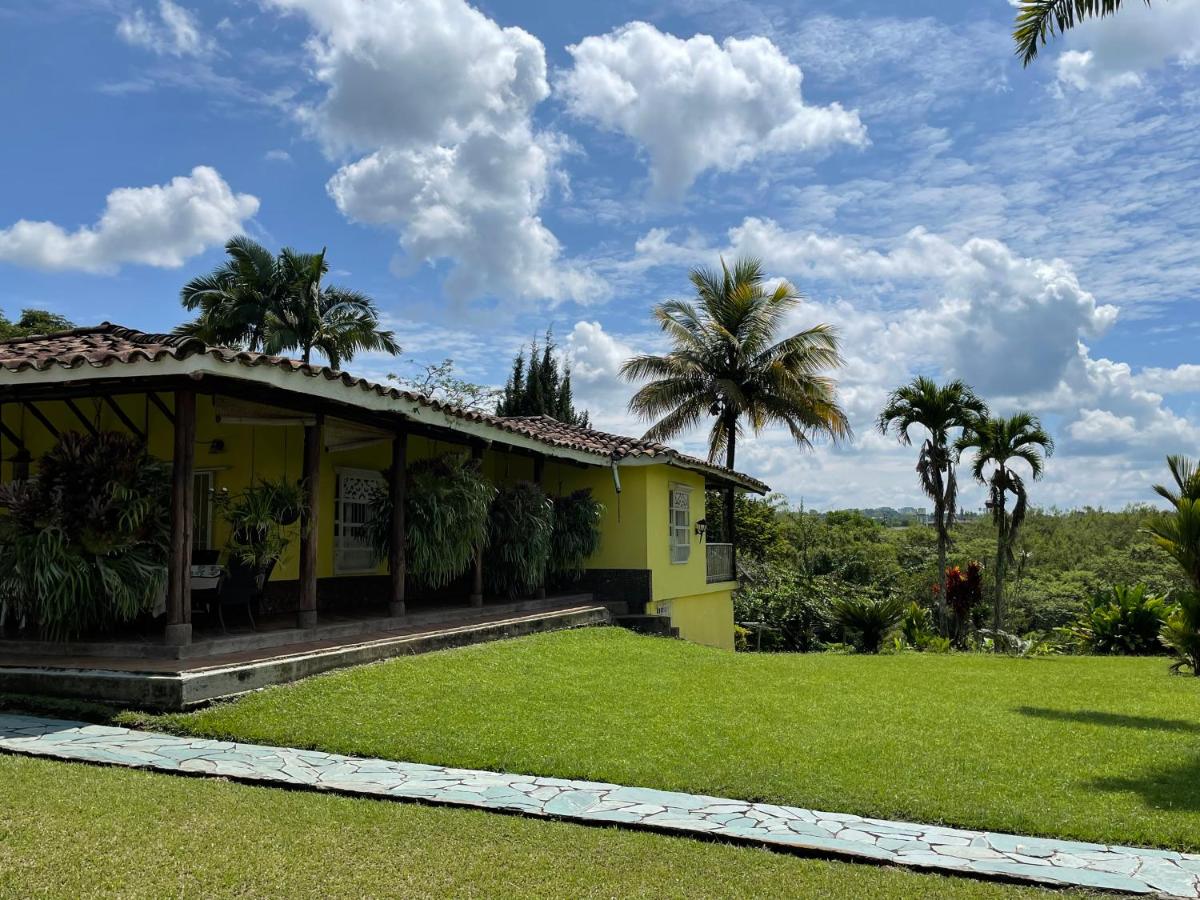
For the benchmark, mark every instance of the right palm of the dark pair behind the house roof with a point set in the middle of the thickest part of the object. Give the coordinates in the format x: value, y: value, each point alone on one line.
x: 338, y: 322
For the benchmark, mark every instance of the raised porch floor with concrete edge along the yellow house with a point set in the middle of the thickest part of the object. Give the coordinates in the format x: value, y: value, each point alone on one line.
x: 219, y: 665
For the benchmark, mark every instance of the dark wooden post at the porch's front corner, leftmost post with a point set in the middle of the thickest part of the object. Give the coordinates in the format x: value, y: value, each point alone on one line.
x: 179, y: 568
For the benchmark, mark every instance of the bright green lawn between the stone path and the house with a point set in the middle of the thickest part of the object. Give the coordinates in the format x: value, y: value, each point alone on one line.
x: 1087, y: 748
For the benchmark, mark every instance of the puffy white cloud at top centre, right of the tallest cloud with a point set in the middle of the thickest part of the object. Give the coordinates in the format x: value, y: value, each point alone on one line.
x: 695, y: 105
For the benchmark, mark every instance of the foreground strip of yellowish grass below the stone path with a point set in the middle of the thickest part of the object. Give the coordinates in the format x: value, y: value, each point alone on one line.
x: 80, y: 831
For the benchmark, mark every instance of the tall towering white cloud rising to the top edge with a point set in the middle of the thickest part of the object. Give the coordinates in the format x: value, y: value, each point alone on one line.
x: 440, y: 101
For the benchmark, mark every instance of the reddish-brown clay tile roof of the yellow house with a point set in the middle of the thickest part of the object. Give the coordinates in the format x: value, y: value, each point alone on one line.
x: 109, y: 345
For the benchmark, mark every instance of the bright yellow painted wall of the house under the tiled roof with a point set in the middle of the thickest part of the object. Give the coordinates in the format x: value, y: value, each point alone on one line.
x: 634, y: 526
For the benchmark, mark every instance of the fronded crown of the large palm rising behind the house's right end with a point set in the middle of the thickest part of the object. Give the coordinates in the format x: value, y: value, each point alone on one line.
x: 728, y: 364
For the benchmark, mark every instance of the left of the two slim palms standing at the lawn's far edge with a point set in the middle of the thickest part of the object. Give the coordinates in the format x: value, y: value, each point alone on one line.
x: 939, y: 411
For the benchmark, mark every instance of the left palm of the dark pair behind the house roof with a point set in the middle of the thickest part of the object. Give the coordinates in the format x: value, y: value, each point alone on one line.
x: 238, y: 298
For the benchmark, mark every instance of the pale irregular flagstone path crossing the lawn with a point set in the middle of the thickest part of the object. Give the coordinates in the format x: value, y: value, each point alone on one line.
x: 1058, y: 863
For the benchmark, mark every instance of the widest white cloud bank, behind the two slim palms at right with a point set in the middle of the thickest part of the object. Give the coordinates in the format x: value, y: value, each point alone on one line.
x: 1013, y: 327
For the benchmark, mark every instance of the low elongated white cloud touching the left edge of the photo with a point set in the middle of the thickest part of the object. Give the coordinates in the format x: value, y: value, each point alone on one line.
x: 160, y: 226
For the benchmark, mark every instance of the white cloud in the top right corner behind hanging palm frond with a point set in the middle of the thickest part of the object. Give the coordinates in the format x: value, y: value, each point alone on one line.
x: 1114, y: 53
